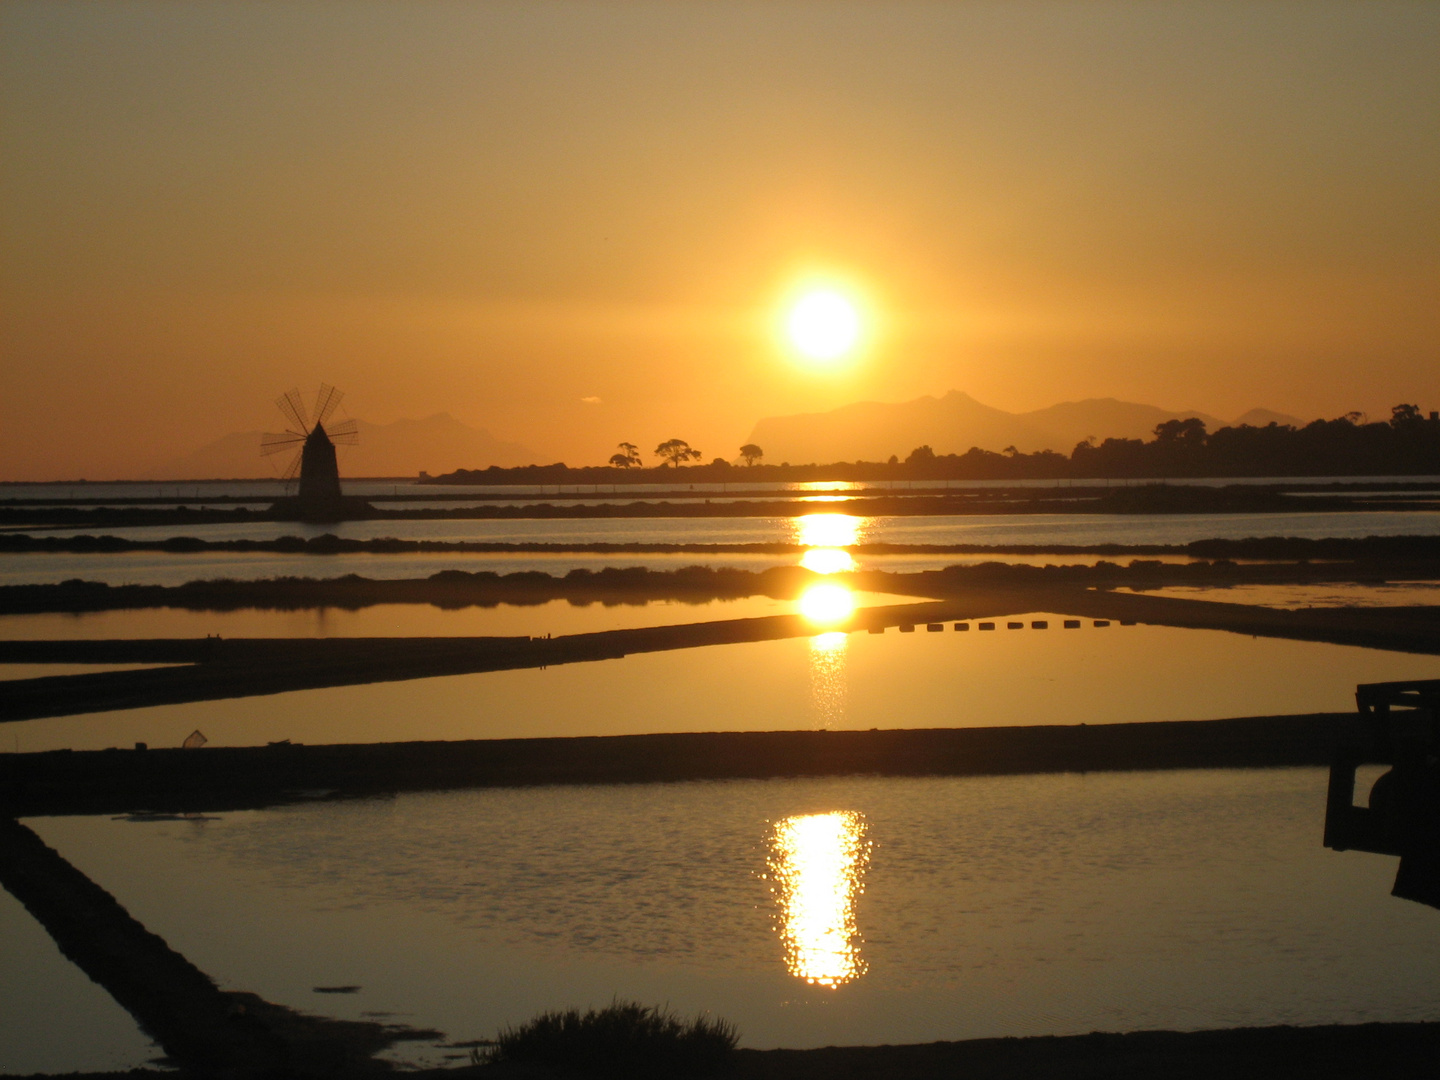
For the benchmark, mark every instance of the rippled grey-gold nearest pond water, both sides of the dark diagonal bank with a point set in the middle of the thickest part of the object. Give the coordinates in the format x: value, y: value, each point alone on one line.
x: 809, y: 912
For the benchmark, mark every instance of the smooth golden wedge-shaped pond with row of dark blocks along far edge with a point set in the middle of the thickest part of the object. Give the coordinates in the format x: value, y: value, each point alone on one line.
x: 973, y: 679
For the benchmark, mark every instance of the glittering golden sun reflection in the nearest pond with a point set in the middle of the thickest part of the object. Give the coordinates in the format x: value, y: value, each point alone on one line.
x: 817, y: 868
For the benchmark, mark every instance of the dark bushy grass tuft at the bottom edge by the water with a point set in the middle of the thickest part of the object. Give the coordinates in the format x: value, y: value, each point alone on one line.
x: 621, y: 1040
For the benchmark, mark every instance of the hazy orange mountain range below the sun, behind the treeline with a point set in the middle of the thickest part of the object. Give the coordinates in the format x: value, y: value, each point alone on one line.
x: 873, y: 431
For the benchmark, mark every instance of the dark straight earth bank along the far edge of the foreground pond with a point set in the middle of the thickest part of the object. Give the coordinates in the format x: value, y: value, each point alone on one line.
x: 178, y: 781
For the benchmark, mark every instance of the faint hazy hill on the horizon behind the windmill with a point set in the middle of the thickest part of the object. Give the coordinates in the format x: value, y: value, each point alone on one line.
x: 437, y: 444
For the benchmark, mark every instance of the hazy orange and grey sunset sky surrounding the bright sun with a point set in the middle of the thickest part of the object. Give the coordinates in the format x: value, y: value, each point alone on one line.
x: 503, y: 210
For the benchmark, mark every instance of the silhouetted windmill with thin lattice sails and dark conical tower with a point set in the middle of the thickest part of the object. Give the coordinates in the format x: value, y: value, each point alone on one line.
x: 315, y: 457
